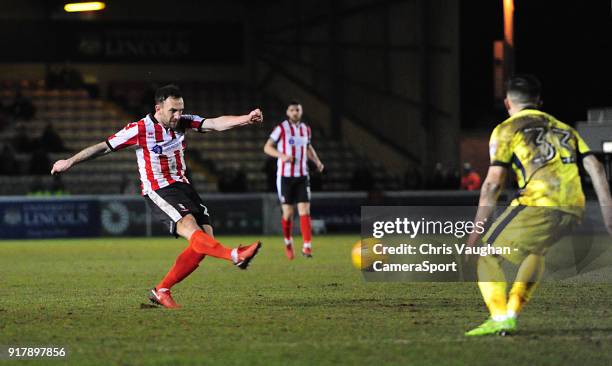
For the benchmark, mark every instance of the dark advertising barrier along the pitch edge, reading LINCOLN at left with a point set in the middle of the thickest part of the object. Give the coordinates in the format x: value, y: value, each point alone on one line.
x: 23, y: 217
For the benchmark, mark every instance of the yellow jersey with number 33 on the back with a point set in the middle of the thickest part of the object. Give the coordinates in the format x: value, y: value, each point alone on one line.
x: 544, y: 153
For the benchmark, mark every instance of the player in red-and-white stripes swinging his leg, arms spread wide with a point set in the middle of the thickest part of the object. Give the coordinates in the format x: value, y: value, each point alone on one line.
x: 159, y: 142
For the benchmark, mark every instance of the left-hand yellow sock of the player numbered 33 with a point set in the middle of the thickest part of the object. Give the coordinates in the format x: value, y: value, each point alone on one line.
x: 492, y: 284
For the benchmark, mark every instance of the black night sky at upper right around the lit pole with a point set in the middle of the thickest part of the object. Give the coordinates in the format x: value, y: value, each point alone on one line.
x: 568, y: 45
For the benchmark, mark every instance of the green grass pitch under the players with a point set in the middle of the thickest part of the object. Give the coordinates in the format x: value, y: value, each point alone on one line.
x: 87, y: 293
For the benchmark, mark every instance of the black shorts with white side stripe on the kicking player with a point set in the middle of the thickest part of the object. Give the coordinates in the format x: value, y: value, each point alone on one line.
x: 169, y: 204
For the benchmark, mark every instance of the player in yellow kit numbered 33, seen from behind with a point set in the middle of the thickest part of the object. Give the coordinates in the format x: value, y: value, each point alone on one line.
x: 544, y: 153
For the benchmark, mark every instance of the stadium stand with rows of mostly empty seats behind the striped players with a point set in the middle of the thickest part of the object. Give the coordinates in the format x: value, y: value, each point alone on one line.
x: 227, y: 161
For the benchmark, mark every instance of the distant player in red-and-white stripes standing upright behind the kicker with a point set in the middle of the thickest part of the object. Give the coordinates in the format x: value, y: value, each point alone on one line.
x: 290, y: 143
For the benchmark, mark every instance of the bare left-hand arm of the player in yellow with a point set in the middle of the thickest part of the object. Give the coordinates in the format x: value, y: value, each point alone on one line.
x: 489, y: 194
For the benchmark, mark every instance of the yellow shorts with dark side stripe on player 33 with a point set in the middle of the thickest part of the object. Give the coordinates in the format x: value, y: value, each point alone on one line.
x: 529, y: 230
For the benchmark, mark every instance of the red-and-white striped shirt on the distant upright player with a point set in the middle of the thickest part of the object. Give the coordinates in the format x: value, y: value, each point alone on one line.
x: 293, y: 140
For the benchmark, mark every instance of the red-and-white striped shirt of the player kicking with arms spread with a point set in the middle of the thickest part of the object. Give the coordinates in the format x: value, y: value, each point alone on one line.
x: 160, y: 152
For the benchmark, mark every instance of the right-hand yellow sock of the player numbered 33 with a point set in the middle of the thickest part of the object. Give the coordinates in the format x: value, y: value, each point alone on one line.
x: 527, y: 280
